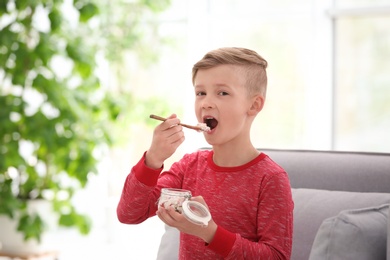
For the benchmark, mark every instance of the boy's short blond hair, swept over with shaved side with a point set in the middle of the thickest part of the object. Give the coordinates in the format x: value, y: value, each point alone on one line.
x: 252, y: 64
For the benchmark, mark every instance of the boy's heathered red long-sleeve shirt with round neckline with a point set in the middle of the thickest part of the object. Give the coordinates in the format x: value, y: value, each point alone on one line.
x: 251, y: 204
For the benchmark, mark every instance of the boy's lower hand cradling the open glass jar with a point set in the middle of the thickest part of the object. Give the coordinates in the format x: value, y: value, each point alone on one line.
x: 175, y: 219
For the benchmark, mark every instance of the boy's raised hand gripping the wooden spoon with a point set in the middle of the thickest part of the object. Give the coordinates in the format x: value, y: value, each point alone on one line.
x: 167, y: 137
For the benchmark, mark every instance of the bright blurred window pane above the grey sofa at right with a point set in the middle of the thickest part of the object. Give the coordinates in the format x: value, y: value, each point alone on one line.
x: 362, y: 79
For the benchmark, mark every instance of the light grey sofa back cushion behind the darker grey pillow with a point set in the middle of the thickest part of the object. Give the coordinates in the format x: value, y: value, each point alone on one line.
x: 312, y: 207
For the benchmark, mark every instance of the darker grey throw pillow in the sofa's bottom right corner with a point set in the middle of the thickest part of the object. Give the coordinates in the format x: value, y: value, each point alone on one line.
x: 359, y: 234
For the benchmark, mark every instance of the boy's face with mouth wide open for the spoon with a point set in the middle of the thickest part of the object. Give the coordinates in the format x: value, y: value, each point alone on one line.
x: 222, y: 102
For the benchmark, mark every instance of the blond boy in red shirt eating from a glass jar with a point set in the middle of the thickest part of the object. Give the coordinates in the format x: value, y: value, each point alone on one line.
x: 248, y: 194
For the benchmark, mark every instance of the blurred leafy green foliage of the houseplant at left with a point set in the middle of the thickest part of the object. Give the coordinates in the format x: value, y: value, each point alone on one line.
x: 55, y: 115
